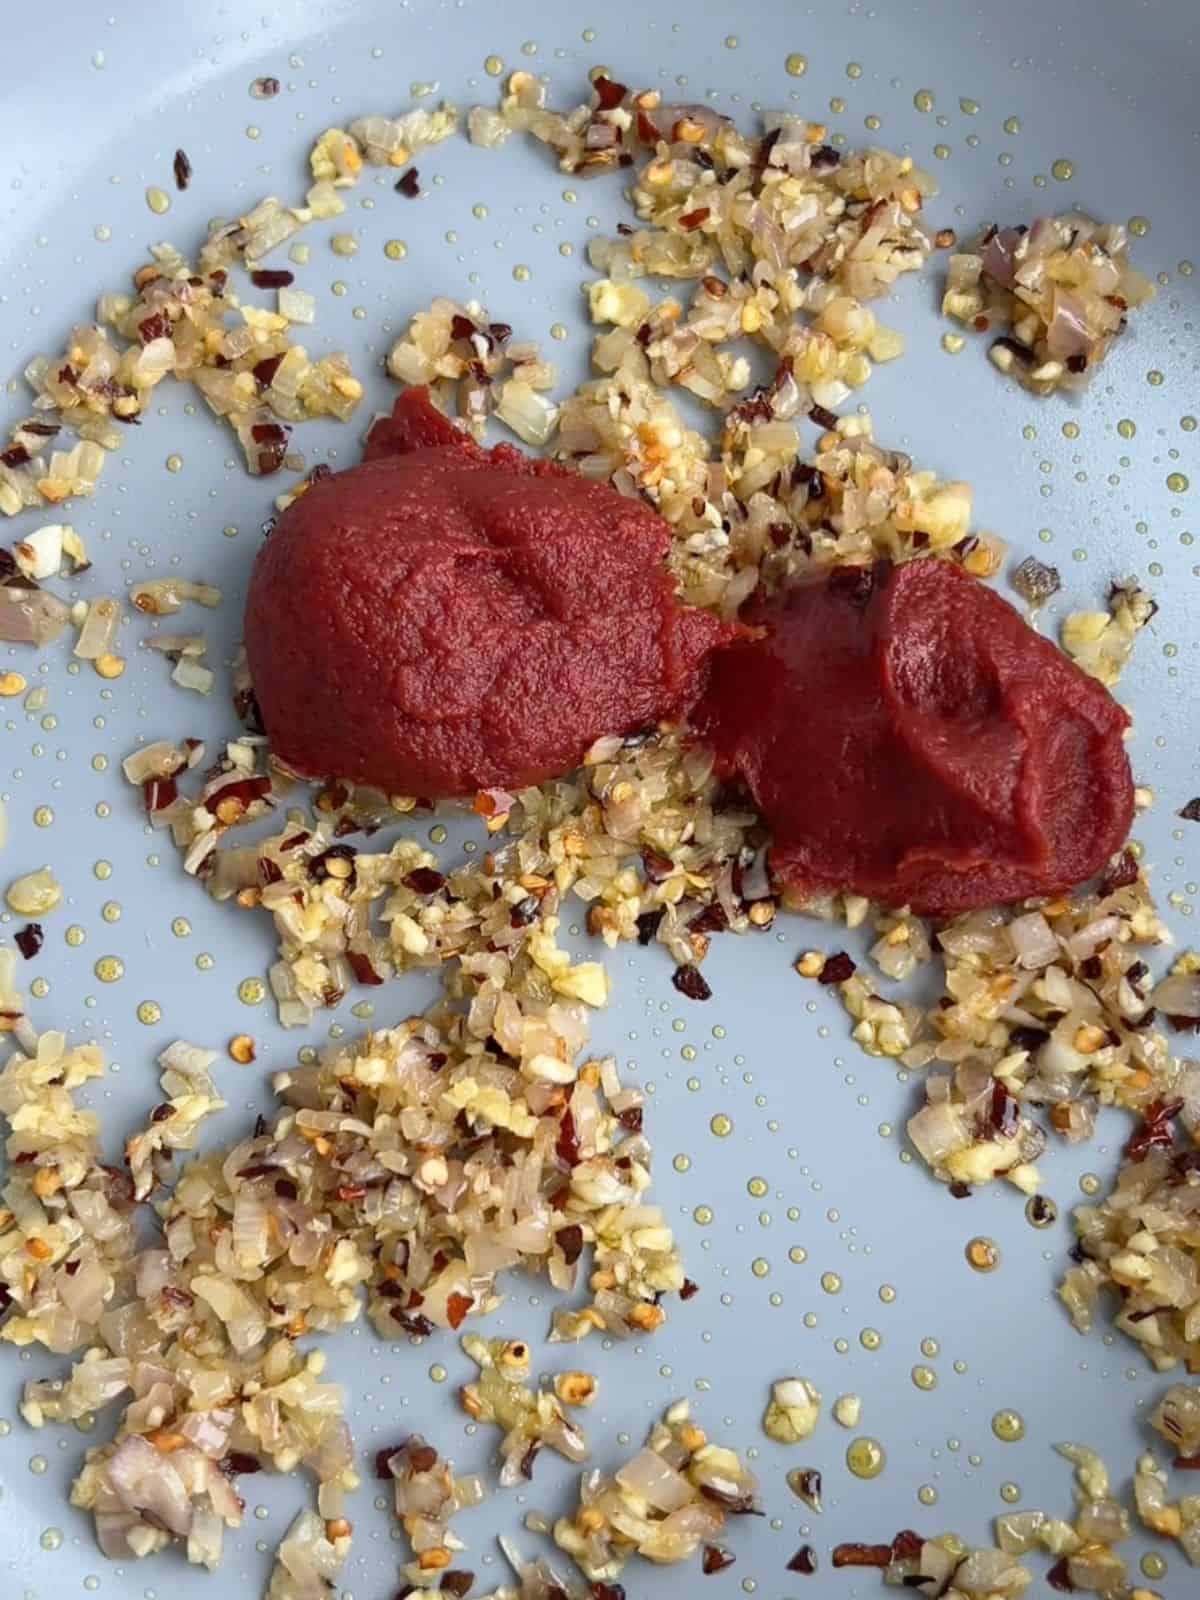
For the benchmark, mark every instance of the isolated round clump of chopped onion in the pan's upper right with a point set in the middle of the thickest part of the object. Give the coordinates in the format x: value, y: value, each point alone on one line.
x: 1062, y: 290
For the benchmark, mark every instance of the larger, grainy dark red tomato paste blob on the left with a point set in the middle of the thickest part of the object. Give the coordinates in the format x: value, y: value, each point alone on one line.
x: 447, y: 618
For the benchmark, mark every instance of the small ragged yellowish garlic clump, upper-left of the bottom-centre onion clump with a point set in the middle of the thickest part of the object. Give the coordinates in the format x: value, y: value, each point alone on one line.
x: 530, y: 1420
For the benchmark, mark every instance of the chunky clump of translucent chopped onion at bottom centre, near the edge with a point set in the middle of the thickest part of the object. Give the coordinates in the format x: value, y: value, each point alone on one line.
x: 673, y: 1497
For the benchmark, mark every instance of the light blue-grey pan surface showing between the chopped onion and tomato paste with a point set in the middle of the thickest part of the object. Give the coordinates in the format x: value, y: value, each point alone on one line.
x: 92, y: 111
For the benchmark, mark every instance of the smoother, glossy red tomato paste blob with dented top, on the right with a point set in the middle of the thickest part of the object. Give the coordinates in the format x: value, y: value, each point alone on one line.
x: 910, y: 738
